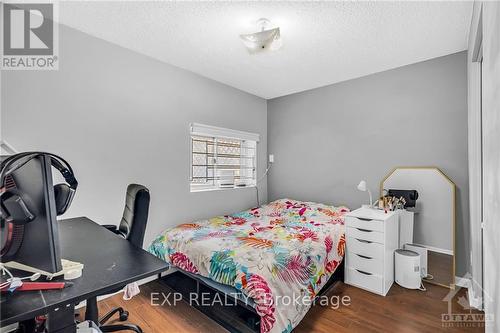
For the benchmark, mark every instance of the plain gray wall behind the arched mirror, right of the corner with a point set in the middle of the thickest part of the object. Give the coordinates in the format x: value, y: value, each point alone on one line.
x: 326, y: 140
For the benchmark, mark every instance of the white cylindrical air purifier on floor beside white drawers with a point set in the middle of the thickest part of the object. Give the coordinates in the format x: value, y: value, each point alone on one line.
x: 407, y: 269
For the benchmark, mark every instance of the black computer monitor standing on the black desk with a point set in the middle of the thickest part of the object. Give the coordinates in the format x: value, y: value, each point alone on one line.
x: 39, y: 247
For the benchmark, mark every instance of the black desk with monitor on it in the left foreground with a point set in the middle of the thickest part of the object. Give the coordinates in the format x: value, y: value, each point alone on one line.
x: 109, y: 262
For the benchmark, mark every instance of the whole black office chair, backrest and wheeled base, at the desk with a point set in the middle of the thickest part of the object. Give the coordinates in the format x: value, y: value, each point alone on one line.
x: 132, y: 227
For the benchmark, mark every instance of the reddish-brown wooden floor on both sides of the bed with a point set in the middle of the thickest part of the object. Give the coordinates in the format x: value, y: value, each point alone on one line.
x: 401, y: 310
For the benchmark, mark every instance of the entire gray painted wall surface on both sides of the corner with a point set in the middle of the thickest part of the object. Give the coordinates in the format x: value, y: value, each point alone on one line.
x: 121, y: 117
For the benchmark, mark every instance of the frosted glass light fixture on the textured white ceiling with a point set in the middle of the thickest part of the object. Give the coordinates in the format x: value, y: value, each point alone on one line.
x: 265, y: 39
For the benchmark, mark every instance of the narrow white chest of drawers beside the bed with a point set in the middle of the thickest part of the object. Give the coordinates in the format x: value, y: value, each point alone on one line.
x: 371, y: 239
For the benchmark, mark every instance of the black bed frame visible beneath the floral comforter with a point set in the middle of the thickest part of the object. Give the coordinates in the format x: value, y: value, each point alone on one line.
x: 239, y: 316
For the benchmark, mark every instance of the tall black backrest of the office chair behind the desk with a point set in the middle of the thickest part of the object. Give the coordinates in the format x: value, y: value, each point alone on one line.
x: 135, y: 214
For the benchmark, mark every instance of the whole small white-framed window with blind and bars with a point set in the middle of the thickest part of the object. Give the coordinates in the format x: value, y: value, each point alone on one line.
x: 222, y: 158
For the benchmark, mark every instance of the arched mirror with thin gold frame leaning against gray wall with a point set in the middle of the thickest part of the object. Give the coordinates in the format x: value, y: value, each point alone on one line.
x: 432, y: 218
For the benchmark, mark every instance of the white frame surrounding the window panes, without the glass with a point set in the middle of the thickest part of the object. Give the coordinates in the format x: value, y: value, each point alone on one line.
x: 197, y: 129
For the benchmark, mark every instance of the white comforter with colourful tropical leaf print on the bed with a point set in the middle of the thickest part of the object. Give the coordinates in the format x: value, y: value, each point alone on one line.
x: 283, y: 251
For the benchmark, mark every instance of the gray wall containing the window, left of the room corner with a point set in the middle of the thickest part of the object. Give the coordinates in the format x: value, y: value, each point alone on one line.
x: 121, y: 117
